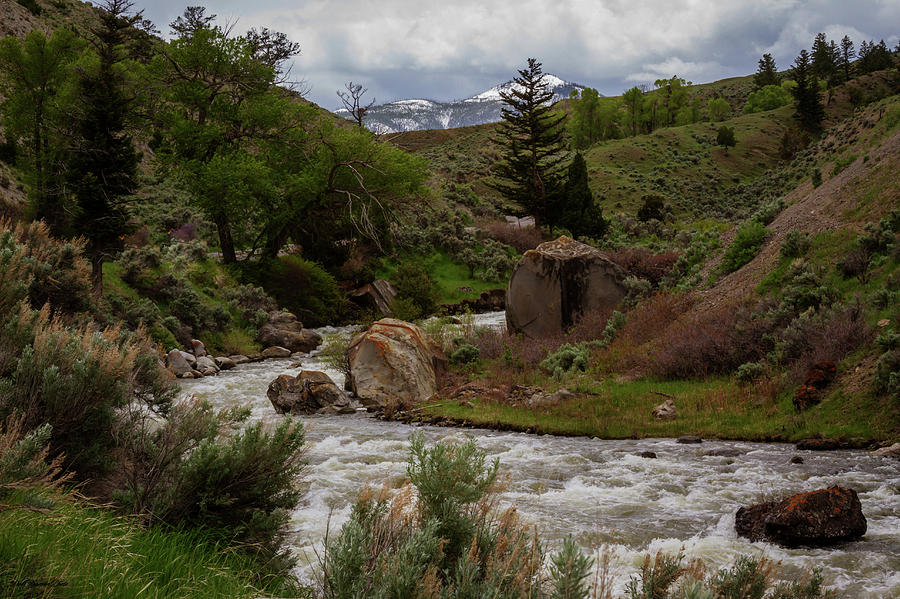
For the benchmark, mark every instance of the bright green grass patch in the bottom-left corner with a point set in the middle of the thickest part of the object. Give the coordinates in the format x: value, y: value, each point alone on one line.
x: 78, y: 551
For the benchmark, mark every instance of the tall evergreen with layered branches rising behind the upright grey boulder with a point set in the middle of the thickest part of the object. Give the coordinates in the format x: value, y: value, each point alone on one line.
x: 531, y: 135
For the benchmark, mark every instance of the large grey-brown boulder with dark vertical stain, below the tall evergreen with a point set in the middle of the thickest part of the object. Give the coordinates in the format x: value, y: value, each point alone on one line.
x: 557, y: 282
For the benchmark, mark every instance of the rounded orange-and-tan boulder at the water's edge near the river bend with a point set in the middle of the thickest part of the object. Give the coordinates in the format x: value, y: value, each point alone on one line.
x: 395, y: 361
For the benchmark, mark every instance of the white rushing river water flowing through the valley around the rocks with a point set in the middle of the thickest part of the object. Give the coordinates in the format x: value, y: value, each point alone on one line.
x: 599, y: 491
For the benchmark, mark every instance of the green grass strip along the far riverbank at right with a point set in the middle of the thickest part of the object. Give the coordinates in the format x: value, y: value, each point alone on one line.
x: 712, y: 408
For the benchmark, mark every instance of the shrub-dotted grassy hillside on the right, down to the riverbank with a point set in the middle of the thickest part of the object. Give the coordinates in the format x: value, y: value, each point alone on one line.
x: 823, y: 284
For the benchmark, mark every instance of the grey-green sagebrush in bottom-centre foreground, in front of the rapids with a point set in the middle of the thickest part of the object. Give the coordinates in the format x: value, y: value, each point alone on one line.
x: 443, y: 540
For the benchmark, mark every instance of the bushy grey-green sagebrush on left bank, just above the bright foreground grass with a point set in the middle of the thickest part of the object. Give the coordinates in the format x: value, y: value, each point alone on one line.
x: 196, y: 469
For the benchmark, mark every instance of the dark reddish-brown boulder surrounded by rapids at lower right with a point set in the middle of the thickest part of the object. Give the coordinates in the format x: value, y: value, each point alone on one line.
x: 817, y: 518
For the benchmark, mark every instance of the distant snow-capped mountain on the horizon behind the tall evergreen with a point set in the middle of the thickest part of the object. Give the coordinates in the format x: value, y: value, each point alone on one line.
x: 415, y: 114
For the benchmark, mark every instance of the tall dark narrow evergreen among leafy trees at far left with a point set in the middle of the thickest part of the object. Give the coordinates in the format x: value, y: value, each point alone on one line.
x: 101, y: 168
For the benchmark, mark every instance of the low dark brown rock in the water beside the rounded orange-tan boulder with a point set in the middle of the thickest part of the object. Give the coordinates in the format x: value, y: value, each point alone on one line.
x: 310, y: 392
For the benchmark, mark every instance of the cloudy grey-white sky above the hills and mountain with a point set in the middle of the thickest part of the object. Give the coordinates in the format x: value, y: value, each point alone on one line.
x: 452, y: 49
